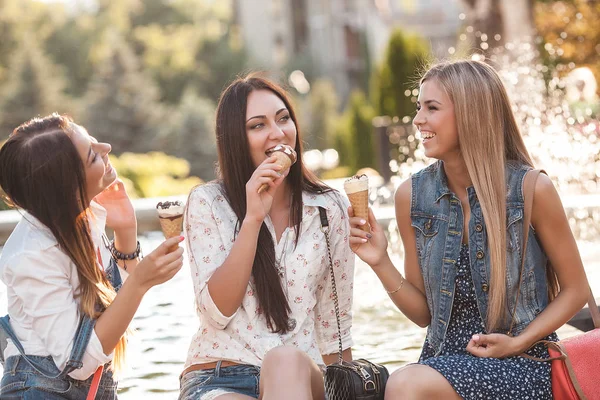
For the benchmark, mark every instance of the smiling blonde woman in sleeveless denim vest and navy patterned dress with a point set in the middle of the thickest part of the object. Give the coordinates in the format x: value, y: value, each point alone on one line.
x: 461, y: 224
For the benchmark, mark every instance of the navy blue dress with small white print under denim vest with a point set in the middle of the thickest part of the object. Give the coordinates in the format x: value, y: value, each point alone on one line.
x: 484, y: 378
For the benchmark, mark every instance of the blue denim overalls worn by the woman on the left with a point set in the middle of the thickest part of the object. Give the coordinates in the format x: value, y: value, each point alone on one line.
x: 37, y: 377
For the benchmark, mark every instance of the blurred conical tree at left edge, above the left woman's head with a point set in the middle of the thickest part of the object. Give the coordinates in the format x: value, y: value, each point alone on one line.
x: 34, y: 88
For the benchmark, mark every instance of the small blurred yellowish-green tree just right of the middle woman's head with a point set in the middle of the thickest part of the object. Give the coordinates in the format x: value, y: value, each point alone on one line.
x: 324, y: 104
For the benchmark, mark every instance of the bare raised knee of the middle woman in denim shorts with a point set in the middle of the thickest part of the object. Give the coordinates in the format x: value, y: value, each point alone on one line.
x: 289, y: 373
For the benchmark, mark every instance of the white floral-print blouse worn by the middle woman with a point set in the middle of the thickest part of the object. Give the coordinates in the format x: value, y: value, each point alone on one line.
x: 244, y: 337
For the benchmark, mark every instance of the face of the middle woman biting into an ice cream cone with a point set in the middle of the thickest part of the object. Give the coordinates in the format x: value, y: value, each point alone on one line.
x: 268, y: 123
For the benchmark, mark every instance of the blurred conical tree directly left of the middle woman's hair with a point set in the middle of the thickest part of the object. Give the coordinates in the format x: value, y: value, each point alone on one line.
x: 191, y: 135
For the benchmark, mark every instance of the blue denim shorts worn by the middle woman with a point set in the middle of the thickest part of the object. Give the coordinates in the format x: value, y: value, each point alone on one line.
x: 209, y: 383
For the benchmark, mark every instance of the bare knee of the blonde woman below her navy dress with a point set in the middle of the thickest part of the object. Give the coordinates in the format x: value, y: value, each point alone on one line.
x: 416, y: 382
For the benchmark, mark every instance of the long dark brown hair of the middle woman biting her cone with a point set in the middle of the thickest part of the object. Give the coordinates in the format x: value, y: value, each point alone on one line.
x: 235, y: 170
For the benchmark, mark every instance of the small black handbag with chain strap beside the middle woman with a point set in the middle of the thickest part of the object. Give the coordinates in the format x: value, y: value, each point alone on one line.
x: 356, y: 379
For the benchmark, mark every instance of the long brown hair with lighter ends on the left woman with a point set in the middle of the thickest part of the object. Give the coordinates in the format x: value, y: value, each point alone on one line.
x: 42, y: 173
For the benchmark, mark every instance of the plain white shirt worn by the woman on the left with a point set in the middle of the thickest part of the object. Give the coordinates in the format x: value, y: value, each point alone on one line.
x: 42, y: 283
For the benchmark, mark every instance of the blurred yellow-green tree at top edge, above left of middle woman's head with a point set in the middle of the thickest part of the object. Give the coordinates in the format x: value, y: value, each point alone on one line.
x: 192, y: 43
